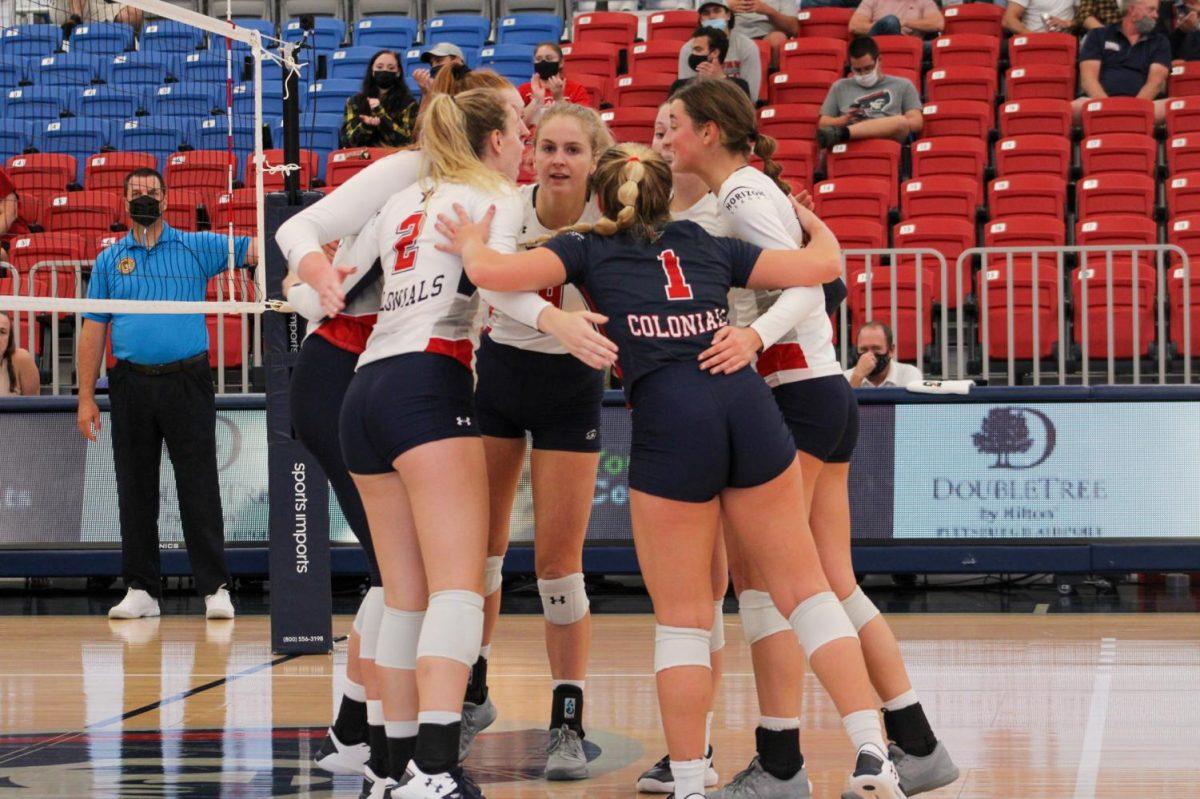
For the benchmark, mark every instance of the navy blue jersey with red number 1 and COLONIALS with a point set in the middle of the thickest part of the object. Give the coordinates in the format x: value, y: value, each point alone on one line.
x: 664, y: 301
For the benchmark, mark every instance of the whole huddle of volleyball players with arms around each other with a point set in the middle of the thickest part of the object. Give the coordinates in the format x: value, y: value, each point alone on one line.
x: 692, y: 265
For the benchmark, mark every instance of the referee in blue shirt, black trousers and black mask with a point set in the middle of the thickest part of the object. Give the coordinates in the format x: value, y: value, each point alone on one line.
x: 160, y: 391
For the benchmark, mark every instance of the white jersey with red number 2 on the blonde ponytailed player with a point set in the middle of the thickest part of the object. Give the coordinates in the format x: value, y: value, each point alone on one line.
x: 428, y: 304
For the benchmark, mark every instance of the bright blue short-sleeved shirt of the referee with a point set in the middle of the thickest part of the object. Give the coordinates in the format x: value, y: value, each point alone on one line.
x: 178, y: 269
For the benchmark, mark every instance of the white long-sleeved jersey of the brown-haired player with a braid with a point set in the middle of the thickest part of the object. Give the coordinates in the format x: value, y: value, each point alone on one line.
x: 794, y: 327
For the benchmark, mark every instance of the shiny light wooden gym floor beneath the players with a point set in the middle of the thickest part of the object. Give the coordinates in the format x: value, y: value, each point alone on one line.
x: 1031, y: 706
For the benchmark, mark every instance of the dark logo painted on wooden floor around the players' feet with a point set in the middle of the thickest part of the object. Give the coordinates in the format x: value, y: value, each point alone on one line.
x: 244, y: 764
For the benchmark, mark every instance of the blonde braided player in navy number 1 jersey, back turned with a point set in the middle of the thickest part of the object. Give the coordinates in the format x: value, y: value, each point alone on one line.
x: 704, y: 442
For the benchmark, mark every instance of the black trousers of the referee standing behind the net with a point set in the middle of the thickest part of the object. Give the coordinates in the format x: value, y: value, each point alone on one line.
x: 181, y: 410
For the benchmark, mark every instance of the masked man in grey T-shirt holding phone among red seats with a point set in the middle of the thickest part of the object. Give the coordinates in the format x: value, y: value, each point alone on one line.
x: 869, y: 105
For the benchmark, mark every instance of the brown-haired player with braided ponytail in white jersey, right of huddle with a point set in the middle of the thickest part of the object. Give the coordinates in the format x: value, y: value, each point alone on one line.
x: 712, y: 133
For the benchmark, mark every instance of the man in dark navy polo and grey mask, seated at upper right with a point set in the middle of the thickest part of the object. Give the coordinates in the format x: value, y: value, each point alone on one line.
x: 1127, y: 59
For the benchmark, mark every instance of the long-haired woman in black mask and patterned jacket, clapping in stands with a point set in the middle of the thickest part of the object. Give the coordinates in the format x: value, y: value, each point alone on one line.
x: 385, y: 112
